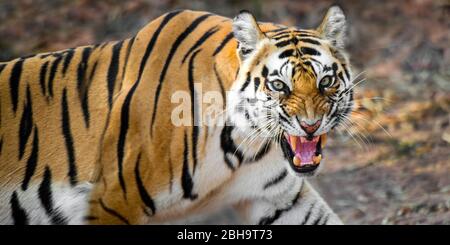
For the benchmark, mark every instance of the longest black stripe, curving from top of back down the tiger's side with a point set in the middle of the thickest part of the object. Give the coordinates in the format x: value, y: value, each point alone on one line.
x: 125, y: 107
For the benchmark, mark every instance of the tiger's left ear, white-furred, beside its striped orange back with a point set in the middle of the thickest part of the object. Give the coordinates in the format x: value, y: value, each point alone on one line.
x: 247, y: 33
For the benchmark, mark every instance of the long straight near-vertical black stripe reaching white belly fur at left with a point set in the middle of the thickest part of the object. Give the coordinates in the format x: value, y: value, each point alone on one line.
x: 65, y: 126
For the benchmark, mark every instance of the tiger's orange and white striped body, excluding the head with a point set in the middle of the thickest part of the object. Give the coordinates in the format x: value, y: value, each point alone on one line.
x: 87, y: 134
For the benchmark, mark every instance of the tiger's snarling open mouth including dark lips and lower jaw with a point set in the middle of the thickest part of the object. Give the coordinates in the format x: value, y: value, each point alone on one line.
x: 304, y: 154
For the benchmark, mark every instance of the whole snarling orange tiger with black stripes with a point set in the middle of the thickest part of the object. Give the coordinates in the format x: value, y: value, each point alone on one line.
x: 89, y: 135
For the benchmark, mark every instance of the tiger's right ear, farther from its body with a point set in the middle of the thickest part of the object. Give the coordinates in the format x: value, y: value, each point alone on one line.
x: 333, y: 27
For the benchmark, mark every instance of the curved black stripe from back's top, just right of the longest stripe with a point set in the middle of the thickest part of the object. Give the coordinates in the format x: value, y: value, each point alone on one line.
x: 174, y: 48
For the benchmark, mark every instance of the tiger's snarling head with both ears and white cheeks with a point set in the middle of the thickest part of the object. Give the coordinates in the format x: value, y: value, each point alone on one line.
x: 293, y: 86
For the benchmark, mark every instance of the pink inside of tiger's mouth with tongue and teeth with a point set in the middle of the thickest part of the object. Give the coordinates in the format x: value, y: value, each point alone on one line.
x: 304, y: 150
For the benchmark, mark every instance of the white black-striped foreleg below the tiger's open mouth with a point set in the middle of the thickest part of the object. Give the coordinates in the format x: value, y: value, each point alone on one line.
x: 301, y: 205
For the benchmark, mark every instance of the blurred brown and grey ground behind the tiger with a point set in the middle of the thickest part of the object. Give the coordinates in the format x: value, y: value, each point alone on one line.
x: 391, y: 165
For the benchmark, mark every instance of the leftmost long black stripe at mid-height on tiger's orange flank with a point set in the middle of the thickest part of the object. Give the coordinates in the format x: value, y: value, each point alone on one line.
x: 26, y: 124
